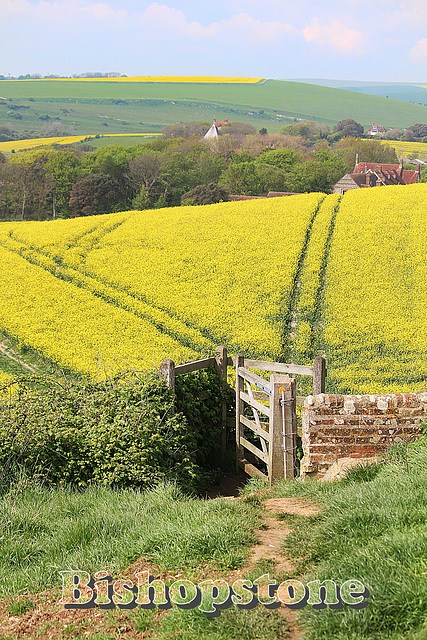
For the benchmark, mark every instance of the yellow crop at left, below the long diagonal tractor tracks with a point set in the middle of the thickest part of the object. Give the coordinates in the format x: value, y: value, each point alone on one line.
x: 70, y: 326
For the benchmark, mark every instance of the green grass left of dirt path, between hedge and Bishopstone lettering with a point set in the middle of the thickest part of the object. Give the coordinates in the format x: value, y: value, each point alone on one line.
x: 45, y: 531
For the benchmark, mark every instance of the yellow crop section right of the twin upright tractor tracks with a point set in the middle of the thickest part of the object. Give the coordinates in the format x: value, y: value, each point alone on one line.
x: 376, y: 291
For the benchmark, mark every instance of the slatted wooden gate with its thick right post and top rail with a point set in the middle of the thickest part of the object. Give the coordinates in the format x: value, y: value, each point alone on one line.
x: 272, y: 425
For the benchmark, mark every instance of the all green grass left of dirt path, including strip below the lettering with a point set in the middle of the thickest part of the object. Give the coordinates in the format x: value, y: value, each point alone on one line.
x: 46, y: 531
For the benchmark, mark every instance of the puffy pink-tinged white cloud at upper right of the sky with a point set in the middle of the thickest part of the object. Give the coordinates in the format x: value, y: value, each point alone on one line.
x: 335, y: 36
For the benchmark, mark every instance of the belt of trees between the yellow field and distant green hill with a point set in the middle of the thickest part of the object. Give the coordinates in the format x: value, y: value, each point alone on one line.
x: 179, y: 168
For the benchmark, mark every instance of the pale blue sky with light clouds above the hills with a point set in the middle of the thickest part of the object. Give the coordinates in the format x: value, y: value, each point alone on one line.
x: 384, y: 40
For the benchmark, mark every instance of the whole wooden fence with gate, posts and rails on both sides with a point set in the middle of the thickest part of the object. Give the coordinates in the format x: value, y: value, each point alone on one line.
x: 278, y: 435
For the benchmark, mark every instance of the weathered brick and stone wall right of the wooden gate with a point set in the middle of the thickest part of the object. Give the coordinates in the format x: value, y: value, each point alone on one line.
x: 336, y: 426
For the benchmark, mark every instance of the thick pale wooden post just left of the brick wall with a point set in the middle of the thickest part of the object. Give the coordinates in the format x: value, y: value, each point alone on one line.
x: 282, y: 446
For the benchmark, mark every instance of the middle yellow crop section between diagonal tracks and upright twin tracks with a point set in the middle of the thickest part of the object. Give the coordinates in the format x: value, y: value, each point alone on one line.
x: 225, y: 269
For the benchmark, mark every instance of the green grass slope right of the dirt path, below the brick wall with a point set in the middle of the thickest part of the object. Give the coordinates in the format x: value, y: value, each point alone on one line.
x: 373, y: 528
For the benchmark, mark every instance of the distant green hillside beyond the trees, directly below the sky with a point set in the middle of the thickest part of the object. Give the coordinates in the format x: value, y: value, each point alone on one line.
x: 146, y: 107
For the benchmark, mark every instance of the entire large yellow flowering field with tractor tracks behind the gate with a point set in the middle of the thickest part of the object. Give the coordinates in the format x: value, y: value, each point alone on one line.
x: 284, y: 278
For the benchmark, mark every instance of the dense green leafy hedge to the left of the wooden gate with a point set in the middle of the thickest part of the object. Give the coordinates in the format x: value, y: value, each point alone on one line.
x: 121, y: 434
